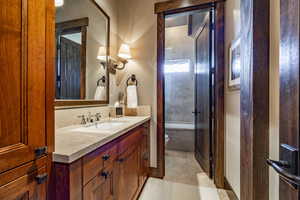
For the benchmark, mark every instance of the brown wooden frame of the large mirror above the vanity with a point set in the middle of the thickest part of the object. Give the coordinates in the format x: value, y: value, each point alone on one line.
x: 70, y: 103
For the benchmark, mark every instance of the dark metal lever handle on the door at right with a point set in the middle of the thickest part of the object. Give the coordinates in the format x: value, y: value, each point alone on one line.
x: 277, y: 166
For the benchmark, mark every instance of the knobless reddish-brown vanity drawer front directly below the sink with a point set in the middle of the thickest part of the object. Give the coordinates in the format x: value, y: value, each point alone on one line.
x: 133, y: 137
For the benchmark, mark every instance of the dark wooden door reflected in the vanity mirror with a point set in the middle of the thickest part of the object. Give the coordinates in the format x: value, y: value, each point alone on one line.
x: 70, y: 69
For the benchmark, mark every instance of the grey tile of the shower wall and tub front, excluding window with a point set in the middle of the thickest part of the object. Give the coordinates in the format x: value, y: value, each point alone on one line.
x: 179, y: 90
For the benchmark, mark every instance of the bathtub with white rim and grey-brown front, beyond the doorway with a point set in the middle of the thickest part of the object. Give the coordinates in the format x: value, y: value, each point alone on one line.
x: 181, y: 136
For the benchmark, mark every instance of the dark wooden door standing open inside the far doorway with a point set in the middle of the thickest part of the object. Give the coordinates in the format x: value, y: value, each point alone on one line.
x: 203, y: 98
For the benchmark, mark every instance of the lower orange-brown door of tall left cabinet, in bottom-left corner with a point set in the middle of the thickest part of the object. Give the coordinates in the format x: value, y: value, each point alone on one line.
x: 25, y: 188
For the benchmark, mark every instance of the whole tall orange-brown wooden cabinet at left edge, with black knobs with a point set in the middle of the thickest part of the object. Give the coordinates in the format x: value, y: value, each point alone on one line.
x: 26, y: 128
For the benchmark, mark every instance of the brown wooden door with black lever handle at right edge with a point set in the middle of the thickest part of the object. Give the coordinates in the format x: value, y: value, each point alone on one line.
x: 289, y: 87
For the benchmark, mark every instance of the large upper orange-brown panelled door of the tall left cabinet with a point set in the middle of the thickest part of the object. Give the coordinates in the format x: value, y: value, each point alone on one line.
x: 22, y: 83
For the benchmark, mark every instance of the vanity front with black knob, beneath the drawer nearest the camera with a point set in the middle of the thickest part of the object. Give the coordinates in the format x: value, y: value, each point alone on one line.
x: 100, y: 187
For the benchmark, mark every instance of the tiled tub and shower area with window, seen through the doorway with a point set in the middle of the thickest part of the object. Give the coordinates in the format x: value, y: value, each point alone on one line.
x: 179, y: 72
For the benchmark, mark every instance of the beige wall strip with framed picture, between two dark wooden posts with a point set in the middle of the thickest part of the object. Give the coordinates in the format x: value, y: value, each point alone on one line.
x: 232, y: 102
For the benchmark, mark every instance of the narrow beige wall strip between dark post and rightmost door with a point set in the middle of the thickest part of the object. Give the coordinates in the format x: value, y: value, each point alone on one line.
x: 274, y: 94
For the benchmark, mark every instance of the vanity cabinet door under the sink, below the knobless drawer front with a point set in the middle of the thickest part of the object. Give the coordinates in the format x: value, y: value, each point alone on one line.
x: 128, y: 177
